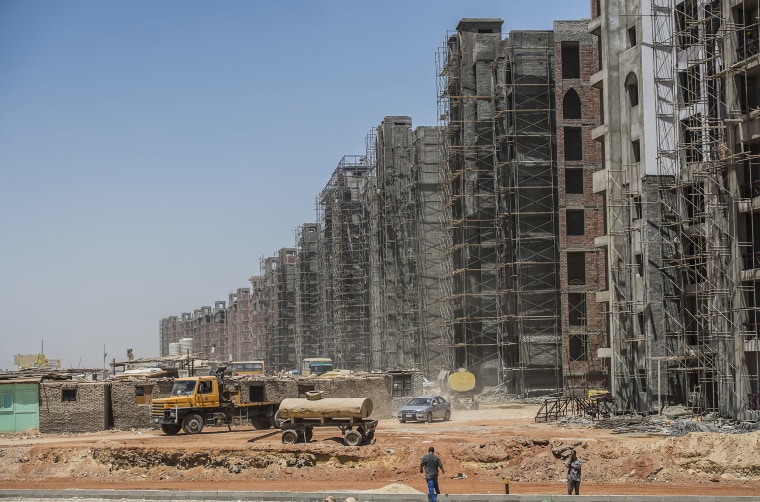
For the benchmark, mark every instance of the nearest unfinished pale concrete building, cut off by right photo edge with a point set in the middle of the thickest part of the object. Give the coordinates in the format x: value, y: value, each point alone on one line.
x: 680, y: 139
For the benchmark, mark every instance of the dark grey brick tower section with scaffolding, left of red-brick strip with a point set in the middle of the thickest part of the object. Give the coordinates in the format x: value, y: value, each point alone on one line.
x: 496, y: 104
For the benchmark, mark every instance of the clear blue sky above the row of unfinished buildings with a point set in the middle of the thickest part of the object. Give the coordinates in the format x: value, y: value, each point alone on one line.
x: 152, y: 153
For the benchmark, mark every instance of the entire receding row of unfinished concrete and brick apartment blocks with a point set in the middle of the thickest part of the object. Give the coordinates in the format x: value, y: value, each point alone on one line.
x: 582, y: 217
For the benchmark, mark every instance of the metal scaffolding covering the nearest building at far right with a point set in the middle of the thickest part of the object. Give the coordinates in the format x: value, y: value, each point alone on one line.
x: 703, y: 65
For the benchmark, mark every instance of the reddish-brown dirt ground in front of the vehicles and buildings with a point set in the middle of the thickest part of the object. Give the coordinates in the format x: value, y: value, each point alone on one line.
x: 479, y: 449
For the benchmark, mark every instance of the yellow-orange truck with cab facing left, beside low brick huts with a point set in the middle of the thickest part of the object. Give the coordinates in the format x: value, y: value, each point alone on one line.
x: 207, y: 400
